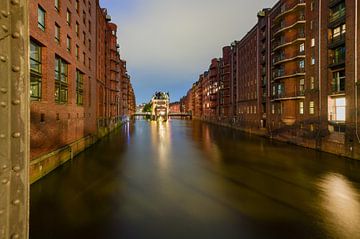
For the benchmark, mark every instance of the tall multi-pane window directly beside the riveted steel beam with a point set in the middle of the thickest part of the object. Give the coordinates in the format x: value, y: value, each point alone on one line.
x: 35, y: 71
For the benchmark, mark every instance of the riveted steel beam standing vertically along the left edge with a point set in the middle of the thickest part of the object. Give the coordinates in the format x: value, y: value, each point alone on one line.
x: 14, y: 119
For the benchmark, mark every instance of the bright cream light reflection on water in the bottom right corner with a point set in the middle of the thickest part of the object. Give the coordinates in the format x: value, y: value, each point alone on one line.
x: 340, y: 205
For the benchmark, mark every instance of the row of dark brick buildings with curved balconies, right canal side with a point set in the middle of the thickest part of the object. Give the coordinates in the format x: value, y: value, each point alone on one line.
x: 294, y: 76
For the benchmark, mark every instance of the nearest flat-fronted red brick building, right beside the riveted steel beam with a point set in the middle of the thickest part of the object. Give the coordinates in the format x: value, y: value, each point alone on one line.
x: 63, y: 70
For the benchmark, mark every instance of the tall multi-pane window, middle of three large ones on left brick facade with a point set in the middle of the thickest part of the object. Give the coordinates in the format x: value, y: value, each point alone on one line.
x: 61, y: 81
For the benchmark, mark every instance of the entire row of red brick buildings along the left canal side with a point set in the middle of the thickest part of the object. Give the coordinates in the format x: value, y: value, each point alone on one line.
x: 74, y: 77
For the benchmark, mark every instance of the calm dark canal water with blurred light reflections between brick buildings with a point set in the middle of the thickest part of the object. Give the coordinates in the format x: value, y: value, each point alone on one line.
x: 187, y: 179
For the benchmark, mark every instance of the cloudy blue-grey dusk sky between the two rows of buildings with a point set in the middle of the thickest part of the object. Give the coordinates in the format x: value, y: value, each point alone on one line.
x: 168, y: 43
